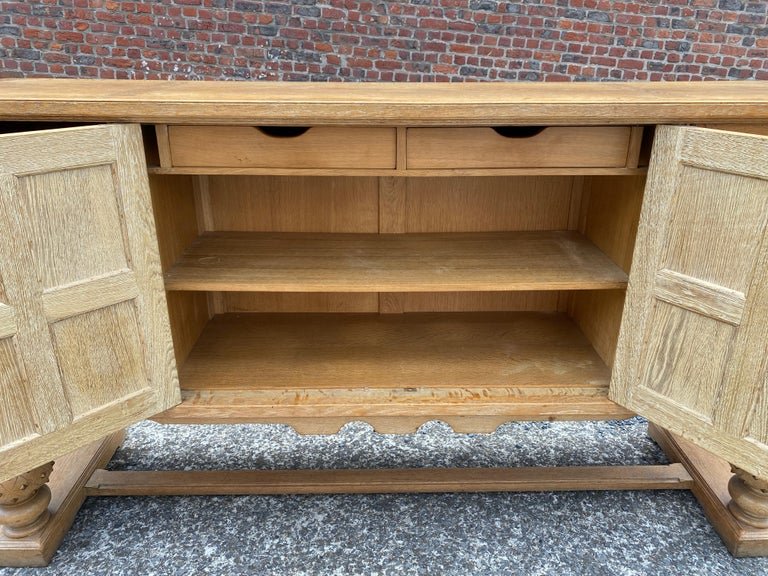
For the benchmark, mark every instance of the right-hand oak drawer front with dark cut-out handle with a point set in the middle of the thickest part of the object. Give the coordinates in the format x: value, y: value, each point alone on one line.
x: 552, y: 147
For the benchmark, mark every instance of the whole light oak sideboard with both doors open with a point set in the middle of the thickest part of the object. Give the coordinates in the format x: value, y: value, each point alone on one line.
x: 313, y: 254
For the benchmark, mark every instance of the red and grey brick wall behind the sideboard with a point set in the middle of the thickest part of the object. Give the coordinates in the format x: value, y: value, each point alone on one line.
x: 418, y: 40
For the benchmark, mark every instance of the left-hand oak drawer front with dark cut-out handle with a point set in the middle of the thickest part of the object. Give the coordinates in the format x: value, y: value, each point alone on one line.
x: 269, y: 147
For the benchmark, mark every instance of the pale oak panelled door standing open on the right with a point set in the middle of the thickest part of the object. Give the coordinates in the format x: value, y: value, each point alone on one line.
x: 693, y: 347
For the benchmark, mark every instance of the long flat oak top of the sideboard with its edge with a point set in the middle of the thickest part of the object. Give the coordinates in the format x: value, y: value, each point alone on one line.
x: 394, y: 104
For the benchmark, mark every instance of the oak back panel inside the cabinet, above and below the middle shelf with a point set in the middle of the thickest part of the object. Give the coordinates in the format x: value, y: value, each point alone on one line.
x: 390, y: 205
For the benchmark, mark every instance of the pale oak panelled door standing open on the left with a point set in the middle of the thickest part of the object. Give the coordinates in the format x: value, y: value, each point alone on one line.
x: 85, y: 344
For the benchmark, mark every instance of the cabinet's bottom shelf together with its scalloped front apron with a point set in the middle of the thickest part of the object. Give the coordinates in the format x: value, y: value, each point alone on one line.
x: 316, y: 372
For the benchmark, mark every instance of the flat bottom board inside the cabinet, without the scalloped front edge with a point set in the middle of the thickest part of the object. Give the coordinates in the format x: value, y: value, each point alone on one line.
x: 339, y: 350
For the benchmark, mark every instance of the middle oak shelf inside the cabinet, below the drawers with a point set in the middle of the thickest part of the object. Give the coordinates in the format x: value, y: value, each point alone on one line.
x: 490, y: 261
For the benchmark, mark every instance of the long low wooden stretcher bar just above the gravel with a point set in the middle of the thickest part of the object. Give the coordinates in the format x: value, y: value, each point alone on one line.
x: 523, y: 479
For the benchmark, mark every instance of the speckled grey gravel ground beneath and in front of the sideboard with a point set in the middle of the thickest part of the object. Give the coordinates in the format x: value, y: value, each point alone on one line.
x: 589, y: 533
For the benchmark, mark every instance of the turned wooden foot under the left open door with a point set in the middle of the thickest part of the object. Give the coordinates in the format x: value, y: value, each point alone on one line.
x: 24, y: 502
